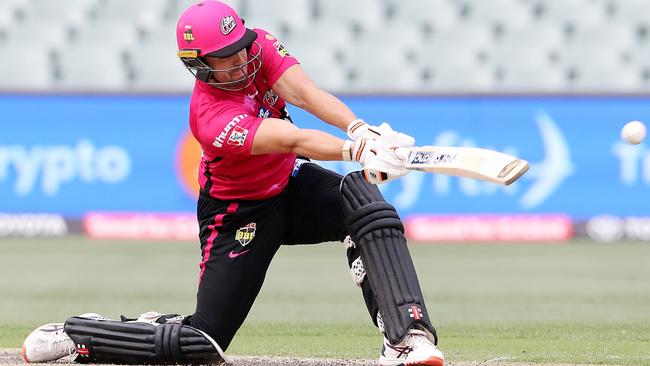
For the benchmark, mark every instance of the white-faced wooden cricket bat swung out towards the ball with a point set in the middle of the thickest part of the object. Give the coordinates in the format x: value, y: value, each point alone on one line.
x: 483, y: 164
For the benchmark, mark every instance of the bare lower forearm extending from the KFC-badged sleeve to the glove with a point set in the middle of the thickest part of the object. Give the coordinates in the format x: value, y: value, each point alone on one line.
x: 280, y: 136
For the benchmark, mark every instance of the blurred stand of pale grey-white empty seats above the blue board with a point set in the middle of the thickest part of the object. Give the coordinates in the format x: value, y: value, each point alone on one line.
x: 405, y: 46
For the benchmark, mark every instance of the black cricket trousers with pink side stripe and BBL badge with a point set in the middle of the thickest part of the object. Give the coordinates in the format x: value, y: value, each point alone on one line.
x: 239, y: 239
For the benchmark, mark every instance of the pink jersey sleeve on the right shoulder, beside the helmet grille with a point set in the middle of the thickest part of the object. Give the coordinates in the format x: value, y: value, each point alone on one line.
x: 276, y: 58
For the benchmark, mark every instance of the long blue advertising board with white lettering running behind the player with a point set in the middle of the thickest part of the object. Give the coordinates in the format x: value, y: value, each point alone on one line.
x: 73, y: 154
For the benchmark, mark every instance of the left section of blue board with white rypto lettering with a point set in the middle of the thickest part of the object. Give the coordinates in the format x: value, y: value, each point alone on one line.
x: 70, y: 155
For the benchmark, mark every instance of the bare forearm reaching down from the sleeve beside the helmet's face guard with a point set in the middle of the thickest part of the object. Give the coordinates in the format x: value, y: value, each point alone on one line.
x: 297, y: 88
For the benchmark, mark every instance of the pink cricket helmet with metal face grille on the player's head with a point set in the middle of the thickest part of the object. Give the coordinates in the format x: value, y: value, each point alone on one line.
x: 211, y: 28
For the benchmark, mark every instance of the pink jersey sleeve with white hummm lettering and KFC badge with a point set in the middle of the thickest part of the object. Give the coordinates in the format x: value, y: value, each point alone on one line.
x: 228, y: 132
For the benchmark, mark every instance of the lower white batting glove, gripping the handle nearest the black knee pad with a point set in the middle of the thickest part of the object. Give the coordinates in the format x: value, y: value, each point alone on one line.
x: 379, y: 162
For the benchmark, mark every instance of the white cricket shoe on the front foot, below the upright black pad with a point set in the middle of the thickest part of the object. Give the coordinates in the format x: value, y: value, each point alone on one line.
x: 416, y: 349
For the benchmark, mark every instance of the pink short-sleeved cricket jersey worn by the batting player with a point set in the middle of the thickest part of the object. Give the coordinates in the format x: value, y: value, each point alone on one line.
x: 225, y: 123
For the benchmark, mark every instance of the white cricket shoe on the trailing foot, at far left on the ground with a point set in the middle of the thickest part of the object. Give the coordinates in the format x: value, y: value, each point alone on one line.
x: 49, y: 342
